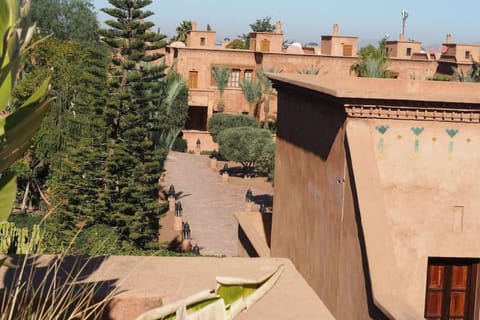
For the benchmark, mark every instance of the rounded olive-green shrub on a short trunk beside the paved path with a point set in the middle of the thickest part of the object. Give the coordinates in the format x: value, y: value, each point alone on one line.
x: 244, y: 145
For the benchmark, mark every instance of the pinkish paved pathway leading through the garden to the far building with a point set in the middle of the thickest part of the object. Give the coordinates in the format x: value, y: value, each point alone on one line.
x: 208, y: 204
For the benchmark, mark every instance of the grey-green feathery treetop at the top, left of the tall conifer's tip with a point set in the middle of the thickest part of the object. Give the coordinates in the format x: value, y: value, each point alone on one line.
x: 72, y: 20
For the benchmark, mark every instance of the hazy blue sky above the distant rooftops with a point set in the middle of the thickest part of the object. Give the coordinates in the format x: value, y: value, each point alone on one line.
x: 306, y: 20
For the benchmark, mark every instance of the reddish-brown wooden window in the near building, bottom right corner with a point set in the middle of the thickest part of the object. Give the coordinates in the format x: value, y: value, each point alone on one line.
x: 451, y: 286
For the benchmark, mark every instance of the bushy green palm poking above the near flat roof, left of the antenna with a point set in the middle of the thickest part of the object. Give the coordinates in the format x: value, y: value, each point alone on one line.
x: 373, y: 62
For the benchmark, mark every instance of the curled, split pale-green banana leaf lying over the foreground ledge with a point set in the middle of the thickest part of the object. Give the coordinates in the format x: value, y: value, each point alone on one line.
x: 232, y: 296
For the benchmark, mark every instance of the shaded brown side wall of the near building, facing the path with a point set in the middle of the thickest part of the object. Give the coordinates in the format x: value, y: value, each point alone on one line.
x: 313, y: 220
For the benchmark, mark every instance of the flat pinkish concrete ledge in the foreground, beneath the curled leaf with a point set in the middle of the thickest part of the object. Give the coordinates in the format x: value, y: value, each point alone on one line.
x: 146, y: 282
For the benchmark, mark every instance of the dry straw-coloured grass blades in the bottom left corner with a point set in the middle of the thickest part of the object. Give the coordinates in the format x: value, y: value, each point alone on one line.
x: 56, y: 290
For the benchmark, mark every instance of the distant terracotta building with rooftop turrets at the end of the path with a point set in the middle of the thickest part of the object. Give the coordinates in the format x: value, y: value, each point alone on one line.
x: 334, y: 57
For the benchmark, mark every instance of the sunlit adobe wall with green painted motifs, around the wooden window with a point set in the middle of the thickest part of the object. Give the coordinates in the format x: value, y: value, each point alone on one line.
x: 428, y: 173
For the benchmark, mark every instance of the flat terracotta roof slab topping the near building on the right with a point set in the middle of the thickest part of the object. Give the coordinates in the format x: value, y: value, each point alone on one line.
x: 385, y: 89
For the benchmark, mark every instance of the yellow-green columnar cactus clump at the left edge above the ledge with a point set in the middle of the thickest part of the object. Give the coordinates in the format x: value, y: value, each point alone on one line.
x: 20, y: 240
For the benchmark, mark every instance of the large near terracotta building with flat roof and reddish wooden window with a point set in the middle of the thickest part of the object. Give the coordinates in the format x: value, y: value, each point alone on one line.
x: 376, y: 194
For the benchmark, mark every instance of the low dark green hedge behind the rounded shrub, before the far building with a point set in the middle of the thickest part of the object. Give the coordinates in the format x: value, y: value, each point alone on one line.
x: 221, y: 121
